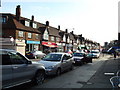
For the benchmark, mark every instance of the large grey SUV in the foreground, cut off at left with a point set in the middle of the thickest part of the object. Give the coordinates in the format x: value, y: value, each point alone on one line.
x: 17, y: 69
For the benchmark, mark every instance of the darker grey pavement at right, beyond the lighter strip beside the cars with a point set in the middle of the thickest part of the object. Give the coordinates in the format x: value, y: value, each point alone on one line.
x: 99, y: 79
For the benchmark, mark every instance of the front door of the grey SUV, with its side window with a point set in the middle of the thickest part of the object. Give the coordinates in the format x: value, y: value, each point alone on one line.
x: 22, y: 71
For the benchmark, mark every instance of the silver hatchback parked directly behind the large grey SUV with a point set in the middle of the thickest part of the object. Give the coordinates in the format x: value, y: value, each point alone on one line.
x: 56, y: 63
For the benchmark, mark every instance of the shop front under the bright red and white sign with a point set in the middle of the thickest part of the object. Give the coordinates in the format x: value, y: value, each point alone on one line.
x: 49, y: 47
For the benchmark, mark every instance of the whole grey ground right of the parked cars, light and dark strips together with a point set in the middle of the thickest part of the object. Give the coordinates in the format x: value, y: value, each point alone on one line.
x: 89, y: 75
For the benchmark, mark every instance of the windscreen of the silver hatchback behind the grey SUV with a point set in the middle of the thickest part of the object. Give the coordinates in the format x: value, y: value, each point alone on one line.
x: 52, y: 57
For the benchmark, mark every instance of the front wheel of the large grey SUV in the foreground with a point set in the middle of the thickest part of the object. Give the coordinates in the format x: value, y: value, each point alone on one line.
x: 39, y: 78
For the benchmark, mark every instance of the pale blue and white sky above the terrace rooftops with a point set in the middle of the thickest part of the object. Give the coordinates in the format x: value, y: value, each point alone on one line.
x: 96, y: 20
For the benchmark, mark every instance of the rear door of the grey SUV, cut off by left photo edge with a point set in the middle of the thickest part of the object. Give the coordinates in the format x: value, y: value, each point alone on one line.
x: 6, y: 69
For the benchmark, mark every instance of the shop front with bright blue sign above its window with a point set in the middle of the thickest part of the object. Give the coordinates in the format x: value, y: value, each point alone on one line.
x: 32, y: 45
